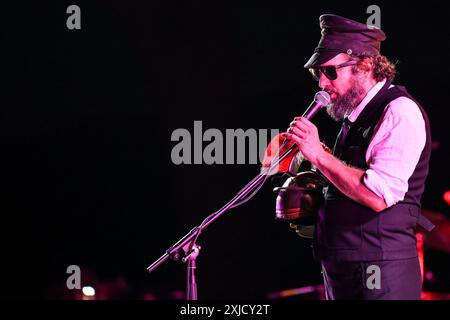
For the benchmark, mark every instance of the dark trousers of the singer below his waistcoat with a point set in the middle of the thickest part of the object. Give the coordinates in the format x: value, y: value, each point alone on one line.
x: 374, y: 280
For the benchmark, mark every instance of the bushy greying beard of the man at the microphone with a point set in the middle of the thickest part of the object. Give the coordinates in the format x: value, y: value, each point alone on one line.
x: 346, y: 103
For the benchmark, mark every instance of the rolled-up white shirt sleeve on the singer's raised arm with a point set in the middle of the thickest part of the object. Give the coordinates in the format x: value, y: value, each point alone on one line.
x: 394, y: 150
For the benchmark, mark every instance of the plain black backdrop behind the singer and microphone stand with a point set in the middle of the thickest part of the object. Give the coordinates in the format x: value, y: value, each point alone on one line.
x: 87, y: 178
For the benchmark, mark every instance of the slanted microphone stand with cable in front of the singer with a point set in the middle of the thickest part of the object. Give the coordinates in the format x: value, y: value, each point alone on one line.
x: 188, y: 245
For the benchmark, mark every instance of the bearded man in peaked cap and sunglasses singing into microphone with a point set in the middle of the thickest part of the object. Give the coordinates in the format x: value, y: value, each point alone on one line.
x: 364, y: 234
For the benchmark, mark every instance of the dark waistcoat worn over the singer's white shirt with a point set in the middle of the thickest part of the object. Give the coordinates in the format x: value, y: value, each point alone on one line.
x: 348, y: 231
